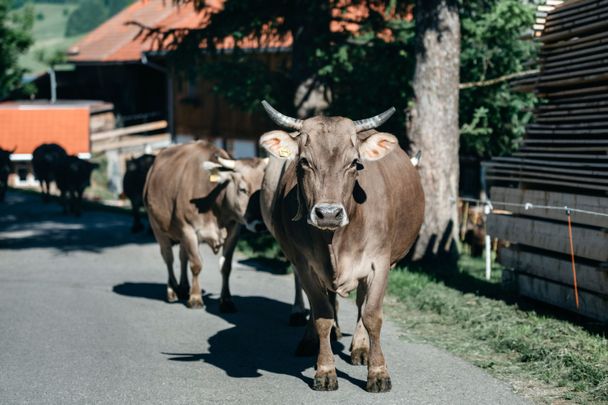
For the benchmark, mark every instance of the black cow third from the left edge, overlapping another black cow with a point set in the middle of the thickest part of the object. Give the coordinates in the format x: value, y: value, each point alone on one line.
x: 73, y: 175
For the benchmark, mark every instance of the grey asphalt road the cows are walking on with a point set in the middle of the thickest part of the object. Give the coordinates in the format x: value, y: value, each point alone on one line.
x: 83, y: 320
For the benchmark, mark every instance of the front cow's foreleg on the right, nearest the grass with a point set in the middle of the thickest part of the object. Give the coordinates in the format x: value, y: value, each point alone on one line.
x: 378, y: 378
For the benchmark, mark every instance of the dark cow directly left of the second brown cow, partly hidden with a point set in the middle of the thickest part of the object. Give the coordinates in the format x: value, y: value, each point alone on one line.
x: 133, y: 186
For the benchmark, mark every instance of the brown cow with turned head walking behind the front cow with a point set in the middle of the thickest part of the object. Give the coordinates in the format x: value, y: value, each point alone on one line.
x: 195, y: 194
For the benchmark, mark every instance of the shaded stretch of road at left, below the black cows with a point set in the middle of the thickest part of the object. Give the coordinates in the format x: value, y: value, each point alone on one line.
x: 26, y: 222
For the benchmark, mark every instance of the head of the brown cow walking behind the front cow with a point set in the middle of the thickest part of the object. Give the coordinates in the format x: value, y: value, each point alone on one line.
x: 242, y: 179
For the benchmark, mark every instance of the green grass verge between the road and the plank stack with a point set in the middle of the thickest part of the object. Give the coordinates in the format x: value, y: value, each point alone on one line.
x: 545, y: 358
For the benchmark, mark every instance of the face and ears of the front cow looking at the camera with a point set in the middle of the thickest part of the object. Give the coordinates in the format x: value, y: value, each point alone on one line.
x: 328, y: 153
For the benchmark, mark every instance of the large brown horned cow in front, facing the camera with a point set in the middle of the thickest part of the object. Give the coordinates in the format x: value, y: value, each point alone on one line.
x: 345, y: 205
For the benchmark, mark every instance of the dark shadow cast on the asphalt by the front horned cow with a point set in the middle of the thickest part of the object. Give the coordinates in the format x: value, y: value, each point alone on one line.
x: 259, y: 340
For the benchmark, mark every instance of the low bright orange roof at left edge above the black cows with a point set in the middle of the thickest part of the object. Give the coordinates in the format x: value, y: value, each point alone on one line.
x: 28, y: 126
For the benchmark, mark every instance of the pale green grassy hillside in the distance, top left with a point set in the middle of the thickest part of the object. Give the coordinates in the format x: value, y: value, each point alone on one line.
x: 49, y: 34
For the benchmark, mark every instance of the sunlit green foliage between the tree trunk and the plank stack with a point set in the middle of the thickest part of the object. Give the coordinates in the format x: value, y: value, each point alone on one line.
x: 493, y: 118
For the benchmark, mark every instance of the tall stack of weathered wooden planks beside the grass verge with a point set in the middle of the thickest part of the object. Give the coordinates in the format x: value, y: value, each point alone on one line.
x: 563, y: 162
